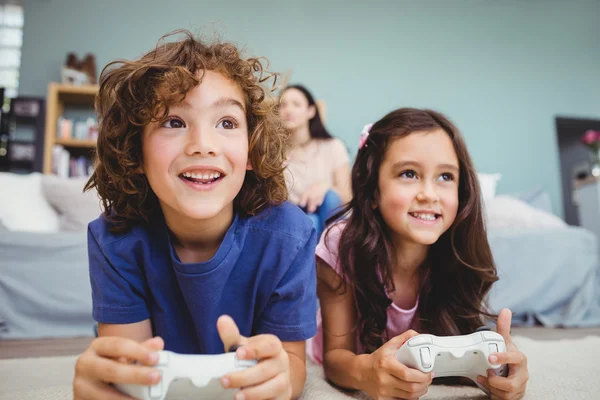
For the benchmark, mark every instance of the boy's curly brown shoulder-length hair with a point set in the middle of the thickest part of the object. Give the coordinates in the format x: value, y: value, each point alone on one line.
x: 135, y: 93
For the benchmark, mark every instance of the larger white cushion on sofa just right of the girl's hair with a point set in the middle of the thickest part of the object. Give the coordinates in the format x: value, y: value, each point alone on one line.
x: 509, y: 212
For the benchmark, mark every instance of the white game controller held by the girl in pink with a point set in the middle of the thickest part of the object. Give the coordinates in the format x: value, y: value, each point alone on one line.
x: 466, y: 355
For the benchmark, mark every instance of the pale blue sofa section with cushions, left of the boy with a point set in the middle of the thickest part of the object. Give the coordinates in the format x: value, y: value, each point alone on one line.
x: 44, y: 279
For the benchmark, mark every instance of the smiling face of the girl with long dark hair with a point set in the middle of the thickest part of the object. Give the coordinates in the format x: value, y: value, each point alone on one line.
x: 418, y: 186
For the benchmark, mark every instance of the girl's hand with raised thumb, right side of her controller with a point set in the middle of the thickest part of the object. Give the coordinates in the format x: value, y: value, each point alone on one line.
x: 514, y: 385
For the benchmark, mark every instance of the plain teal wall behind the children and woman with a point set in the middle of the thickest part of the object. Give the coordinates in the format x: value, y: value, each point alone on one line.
x: 502, y: 70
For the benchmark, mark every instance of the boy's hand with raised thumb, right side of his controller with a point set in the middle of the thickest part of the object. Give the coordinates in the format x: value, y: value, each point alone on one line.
x: 270, y: 378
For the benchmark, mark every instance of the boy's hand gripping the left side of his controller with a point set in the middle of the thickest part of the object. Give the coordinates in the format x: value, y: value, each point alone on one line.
x: 109, y: 360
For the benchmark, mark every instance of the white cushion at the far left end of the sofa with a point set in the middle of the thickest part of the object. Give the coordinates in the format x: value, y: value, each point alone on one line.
x: 23, y: 206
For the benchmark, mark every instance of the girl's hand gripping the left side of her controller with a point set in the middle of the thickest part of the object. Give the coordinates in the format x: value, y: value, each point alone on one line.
x: 387, y: 378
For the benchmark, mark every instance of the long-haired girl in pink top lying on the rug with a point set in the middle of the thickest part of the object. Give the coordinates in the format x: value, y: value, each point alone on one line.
x: 412, y: 254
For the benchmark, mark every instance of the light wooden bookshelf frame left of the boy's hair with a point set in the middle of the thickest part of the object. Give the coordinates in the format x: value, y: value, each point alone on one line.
x: 59, y: 96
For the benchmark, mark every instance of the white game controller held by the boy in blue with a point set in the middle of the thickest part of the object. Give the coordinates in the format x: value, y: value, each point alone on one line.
x: 204, y: 371
